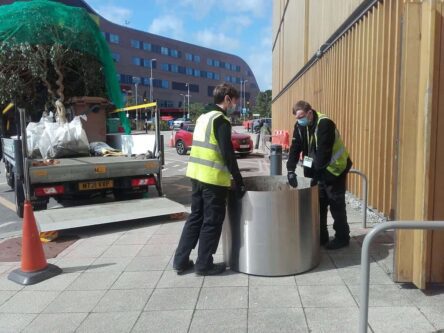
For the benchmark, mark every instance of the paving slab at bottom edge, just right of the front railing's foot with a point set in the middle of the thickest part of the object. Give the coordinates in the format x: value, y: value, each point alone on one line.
x: 398, y: 319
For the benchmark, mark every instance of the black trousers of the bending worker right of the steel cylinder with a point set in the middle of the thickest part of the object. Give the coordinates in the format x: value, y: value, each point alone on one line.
x: 333, y: 195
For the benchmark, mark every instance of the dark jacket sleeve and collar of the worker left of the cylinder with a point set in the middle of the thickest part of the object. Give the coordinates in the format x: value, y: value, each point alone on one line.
x: 222, y: 132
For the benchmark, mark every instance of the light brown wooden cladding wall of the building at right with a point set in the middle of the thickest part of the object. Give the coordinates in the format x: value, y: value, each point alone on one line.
x: 382, y: 82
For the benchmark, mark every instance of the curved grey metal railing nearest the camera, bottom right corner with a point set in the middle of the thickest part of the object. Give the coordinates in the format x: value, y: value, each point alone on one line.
x: 365, y: 261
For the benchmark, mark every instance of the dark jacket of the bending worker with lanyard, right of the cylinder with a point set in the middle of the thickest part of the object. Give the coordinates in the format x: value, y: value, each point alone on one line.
x: 321, y: 154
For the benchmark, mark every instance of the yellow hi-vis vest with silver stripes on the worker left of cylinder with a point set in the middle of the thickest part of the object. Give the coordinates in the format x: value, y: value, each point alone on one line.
x: 206, y: 163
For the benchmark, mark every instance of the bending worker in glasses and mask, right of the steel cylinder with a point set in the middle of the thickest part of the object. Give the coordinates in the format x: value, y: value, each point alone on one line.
x: 327, y: 162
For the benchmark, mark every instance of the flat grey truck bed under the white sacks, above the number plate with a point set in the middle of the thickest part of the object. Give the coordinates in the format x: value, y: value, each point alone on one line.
x: 85, y: 168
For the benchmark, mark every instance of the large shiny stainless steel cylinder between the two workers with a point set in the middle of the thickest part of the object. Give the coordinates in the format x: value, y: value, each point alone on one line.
x: 274, y: 229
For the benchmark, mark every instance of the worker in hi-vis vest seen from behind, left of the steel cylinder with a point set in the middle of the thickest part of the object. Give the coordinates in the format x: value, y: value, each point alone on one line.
x: 211, y: 165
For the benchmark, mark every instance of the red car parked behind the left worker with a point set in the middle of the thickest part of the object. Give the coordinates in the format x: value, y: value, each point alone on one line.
x: 183, y: 138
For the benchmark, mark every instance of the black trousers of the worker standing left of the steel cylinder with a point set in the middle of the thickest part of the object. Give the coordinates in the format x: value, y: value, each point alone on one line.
x: 208, y: 204
